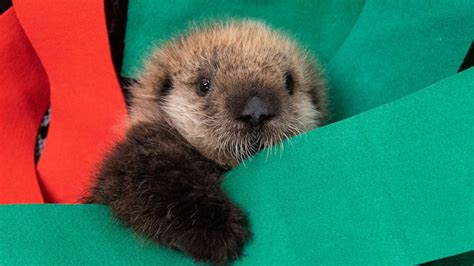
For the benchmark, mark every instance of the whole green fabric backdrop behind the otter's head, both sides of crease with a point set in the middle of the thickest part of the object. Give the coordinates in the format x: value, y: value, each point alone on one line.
x: 374, y: 51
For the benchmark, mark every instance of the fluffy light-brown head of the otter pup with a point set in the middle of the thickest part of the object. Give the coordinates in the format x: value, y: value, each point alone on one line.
x: 231, y: 89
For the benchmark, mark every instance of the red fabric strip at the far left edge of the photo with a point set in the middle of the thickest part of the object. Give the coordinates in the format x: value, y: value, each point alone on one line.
x: 24, y: 98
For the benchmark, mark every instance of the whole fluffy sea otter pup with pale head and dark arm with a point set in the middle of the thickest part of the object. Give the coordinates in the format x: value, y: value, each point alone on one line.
x: 204, y: 102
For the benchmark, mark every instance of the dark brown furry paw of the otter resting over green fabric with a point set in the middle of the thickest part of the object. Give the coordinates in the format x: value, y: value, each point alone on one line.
x: 211, y: 230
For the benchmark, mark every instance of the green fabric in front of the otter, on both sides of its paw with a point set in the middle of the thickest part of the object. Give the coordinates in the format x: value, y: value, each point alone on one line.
x: 348, y: 193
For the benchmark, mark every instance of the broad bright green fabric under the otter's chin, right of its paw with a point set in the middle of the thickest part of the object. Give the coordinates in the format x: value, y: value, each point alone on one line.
x: 399, y: 192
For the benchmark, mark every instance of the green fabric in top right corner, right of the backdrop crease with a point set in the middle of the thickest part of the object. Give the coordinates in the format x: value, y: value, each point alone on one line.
x: 396, y: 48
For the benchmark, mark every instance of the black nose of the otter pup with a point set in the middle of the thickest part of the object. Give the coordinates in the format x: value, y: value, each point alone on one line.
x: 255, y: 112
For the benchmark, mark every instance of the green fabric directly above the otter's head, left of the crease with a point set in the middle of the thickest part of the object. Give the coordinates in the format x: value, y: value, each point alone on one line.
x: 326, y: 23
